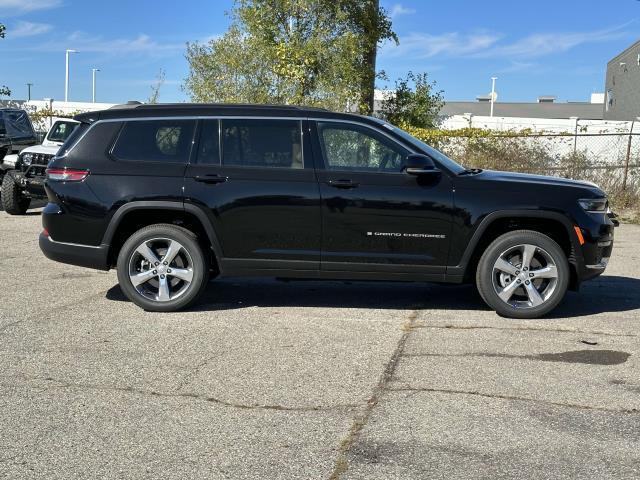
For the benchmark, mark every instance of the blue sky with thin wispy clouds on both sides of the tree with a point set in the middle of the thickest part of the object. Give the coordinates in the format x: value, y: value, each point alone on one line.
x: 534, y: 48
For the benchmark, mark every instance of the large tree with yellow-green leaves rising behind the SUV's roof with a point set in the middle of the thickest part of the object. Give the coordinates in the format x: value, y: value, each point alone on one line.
x: 284, y: 51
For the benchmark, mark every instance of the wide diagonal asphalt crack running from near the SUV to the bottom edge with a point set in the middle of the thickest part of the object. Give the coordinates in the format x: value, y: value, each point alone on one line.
x: 341, y: 464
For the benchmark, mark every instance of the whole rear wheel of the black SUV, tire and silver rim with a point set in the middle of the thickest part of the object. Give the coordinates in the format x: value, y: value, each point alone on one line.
x: 179, y: 291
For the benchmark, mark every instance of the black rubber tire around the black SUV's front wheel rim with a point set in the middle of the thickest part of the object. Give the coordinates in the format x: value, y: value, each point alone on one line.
x: 484, y: 276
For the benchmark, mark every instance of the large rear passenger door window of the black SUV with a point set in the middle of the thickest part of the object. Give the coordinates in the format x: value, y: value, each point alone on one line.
x: 262, y: 143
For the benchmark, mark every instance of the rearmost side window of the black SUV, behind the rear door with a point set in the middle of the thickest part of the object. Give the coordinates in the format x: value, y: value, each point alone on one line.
x: 155, y: 141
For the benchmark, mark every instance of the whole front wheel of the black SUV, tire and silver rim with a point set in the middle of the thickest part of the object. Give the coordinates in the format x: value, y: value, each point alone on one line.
x: 517, y: 265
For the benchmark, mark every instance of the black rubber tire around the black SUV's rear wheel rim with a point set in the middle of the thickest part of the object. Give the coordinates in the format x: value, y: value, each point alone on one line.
x: 189, y: 241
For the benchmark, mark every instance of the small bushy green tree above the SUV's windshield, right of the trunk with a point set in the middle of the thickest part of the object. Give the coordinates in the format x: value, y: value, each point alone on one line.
x: 414, y: 102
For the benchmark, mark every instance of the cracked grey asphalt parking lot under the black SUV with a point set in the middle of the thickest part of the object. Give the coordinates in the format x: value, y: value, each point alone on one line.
x: 267, y: 379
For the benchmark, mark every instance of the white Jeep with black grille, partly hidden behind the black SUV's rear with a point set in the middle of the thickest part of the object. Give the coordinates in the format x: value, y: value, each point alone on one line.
x: 25, y: 172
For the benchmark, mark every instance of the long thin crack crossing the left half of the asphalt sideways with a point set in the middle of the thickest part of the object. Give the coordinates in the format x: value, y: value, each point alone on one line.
x: 187, y: 395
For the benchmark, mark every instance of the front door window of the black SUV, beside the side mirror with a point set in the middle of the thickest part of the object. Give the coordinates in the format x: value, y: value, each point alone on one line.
x: 349, y: 147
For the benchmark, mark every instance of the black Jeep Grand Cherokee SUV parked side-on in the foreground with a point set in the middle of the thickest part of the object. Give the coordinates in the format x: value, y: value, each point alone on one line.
x: 170, y: 194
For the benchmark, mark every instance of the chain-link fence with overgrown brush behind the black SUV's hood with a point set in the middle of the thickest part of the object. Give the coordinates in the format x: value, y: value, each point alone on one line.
x: 611, y: 160
